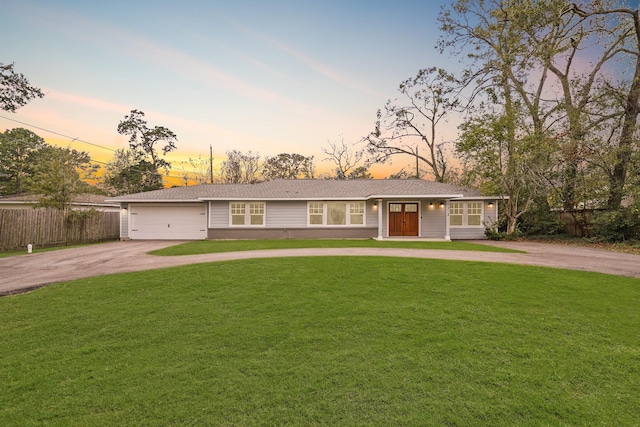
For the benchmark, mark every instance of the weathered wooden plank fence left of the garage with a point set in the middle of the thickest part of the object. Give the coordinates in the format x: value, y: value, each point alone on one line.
x: 49, y: 227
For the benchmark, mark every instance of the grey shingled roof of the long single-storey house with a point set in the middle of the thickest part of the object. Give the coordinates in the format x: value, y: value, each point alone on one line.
x: 300, y: 189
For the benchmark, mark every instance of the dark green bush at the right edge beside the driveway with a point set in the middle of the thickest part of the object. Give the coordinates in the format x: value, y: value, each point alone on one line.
x: 618, y: 226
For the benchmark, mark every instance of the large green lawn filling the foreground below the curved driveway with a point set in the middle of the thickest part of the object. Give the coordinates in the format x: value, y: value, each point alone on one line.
x: 325, y: 341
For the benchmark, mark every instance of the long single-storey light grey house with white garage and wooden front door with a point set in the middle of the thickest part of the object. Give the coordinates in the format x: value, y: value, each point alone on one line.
x: 367, y: 208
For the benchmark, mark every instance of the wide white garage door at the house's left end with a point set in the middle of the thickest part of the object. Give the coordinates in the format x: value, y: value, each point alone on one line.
x: 169, y: 222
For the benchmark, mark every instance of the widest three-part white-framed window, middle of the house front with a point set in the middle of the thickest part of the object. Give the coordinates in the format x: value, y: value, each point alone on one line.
x: 336, y: 213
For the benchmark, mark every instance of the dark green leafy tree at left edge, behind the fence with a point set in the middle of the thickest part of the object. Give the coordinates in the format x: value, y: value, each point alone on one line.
x: 18, y: 149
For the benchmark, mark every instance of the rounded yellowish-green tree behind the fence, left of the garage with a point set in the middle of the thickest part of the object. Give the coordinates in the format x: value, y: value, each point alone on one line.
x: 59, y: 176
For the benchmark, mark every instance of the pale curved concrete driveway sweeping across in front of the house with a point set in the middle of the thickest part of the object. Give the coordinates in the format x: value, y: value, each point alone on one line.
x: 25, y: 272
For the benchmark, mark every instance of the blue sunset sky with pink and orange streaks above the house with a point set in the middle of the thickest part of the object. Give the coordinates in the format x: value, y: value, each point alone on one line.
x: 267, y: 76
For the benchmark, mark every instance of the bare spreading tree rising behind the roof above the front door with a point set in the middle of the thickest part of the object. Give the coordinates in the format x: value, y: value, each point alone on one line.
x: 411, y: 123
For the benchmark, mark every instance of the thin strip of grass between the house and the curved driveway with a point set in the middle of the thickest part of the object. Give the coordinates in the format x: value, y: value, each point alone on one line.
x: 213, y: 246
